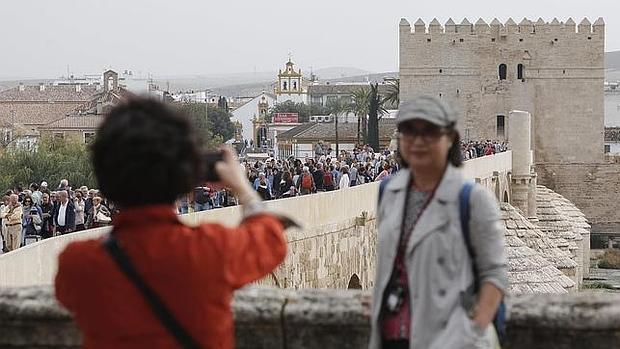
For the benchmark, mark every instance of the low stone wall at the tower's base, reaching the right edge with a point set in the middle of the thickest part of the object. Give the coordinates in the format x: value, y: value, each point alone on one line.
x: 593, y: 188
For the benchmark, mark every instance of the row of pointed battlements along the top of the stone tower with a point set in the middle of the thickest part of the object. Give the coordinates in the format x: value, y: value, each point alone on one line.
x: 510, y: 27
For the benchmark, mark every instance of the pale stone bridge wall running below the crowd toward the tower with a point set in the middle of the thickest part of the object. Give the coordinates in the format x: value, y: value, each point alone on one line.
x: 335, y: 247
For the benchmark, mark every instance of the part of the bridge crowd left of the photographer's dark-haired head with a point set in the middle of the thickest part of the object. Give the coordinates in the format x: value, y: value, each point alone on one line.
x: 39, y: 212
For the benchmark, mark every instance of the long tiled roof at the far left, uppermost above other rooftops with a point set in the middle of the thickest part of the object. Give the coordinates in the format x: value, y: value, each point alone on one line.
x: 59, y: 93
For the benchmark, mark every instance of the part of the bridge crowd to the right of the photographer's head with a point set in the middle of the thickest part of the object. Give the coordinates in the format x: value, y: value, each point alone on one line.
x: 282, y: 178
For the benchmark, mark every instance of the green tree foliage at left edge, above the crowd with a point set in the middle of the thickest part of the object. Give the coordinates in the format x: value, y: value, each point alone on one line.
x: 54, y: 159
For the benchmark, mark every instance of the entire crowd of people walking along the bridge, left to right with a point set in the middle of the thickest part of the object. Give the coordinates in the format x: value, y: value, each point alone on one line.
x: 38, y: 213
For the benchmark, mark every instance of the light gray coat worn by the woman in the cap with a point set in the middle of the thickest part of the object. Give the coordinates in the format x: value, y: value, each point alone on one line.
x: 439, y: 268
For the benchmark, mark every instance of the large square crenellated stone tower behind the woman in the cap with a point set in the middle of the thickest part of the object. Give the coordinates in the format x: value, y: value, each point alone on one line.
x: 553, y: 70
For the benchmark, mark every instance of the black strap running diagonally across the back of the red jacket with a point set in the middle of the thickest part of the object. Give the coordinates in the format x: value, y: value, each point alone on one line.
x: 164, y: 315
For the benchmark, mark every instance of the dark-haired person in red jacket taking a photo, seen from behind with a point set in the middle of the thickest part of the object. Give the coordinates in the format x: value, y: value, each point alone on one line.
x: 145, y: 156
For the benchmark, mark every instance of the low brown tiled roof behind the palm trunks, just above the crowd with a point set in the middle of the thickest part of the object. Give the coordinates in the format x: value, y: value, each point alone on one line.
x: 326, y: 131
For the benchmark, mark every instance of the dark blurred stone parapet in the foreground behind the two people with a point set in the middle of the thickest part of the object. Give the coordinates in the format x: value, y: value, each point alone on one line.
x: 272, y: 318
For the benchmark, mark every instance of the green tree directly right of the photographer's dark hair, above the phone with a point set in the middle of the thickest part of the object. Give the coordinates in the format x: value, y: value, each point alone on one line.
x: 214, y: 128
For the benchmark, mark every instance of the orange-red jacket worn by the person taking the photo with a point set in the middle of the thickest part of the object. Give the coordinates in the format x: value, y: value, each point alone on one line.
x: 193, y: 270
